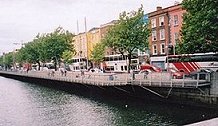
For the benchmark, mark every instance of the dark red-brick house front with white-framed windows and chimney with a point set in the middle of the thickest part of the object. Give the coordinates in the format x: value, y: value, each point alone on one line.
x: 159, y: 25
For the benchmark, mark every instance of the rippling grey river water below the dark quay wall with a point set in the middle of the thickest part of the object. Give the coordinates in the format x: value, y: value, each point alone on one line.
x: 26, y: 104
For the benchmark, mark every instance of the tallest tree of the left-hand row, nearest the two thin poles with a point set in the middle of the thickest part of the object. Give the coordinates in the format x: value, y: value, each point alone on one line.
x: 55, y: 44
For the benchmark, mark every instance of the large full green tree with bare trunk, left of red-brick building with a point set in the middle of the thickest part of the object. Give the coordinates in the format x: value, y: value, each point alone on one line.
x: 128, y: 34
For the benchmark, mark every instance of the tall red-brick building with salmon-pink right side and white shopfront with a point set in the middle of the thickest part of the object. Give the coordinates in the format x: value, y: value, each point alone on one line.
x: 165, y: 25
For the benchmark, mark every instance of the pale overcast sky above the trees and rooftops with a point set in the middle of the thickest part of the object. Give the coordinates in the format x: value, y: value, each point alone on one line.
x: 22, y: 20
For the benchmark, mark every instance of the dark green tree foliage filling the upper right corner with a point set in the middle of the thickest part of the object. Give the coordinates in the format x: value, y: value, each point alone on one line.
x: 200, y: 27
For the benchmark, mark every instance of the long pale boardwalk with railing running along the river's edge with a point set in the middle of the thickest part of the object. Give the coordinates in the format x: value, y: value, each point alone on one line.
x: 112, y: 79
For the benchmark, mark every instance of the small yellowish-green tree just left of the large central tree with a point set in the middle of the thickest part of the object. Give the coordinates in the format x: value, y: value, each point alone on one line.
x: 97, y: 54
